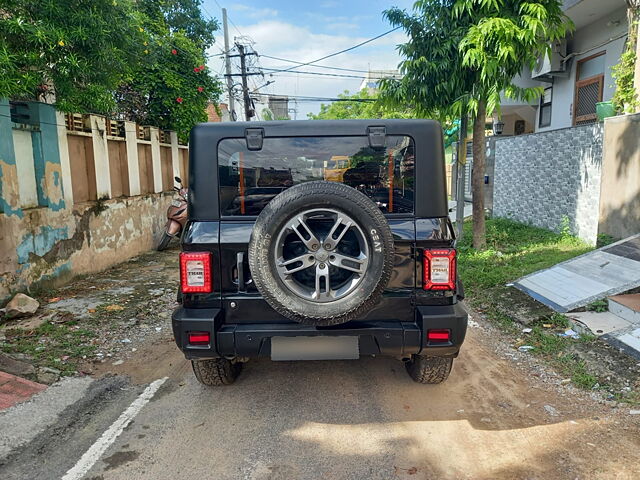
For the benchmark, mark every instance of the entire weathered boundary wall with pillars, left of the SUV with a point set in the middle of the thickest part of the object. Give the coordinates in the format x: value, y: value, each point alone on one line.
x: 58, y: 217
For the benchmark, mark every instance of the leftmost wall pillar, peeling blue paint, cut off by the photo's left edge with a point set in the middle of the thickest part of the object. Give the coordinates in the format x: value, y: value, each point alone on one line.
x: 9, y: 193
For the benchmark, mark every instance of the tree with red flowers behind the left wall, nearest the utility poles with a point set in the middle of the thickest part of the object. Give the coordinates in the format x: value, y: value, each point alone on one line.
x: 171, y: 85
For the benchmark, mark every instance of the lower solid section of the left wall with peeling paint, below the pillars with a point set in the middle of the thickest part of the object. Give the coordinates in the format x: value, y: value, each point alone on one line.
x: 52, y: 246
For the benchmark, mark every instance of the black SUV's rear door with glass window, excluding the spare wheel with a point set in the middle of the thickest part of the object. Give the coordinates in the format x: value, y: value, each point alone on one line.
x: 249, y: 179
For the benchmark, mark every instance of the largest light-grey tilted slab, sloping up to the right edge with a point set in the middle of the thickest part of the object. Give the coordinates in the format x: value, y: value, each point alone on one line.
x: 581, y: 280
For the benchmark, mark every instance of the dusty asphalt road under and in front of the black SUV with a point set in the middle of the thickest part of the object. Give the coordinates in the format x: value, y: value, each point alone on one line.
x: 361, y: 419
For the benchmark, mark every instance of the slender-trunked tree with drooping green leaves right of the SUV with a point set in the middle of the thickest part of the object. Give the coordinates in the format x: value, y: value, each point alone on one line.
x: 463, y: 54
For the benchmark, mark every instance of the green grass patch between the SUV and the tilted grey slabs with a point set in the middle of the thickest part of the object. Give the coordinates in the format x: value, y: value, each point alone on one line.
x: 515, y: 250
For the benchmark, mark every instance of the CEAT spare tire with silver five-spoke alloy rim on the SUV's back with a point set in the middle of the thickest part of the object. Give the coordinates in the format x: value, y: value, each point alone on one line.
x: 321, y: 253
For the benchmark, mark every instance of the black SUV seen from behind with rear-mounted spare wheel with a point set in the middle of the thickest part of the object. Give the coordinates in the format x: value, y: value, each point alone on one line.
x: 317, y: 240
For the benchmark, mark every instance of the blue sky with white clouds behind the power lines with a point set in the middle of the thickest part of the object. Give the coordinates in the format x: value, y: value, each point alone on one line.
x: 304, y: 31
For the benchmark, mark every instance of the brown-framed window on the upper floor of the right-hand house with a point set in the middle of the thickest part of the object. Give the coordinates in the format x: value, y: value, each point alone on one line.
x: 589, y: 87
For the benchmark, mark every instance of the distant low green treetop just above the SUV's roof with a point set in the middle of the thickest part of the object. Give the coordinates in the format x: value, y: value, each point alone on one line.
x: 359, y: 105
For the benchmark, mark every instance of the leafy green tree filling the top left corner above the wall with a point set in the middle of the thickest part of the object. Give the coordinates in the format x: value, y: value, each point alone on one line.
x: 74, y: 51
